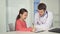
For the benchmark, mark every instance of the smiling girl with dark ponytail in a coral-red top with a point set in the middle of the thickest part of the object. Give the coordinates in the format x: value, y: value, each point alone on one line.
x: 20, y: 21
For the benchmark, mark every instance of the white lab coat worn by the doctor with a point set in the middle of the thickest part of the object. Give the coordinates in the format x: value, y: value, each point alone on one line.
x: 44, y: 22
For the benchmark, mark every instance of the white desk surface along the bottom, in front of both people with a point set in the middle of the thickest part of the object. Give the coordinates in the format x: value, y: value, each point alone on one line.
x: 18, y: 32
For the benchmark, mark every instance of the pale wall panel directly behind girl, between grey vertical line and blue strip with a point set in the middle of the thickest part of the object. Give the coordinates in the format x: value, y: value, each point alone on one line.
x: 14, y: 7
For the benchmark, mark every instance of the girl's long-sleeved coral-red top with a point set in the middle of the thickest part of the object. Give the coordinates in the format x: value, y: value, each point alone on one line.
x: 21, y: 26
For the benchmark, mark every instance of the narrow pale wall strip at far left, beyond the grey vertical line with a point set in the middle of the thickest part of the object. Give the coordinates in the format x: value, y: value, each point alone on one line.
x: 2, y: 15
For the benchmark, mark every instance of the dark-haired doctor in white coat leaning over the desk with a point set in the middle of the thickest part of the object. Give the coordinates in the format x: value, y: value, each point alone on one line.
x: 43, y: 18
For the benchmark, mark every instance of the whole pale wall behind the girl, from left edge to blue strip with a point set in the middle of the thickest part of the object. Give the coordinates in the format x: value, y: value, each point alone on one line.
x: 9, y: 10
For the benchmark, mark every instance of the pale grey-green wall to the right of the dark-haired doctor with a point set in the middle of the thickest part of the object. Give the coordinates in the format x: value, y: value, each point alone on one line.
x: 53, y: 6
